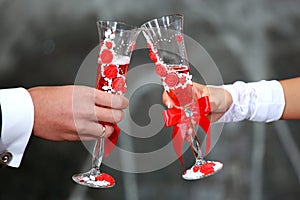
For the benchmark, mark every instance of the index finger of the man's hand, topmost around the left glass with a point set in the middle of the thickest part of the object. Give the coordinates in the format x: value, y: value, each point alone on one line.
x: 110, y: 100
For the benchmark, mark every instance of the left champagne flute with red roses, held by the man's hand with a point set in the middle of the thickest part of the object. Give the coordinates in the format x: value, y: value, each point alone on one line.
x: 117, y: 41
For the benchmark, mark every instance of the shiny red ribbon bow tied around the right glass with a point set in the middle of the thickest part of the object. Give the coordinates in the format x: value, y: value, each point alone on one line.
x: 181, y: 121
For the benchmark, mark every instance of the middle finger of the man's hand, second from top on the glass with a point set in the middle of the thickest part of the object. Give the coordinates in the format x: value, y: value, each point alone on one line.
x: 108, y: 115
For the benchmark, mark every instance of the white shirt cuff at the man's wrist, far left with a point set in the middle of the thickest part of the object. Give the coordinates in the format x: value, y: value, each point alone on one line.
x: 17, y: 122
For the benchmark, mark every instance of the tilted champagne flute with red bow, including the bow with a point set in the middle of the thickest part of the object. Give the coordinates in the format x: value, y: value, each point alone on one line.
x: 167, y: 50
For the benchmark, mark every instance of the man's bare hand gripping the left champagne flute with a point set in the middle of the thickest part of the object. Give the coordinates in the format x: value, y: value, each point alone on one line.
x: 70, y: 113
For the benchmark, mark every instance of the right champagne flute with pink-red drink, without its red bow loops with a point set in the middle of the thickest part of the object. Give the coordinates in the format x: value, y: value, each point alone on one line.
x: 167, y: 50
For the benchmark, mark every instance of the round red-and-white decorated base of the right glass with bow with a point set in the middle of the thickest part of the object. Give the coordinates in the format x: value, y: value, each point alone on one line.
x: 199, y: 171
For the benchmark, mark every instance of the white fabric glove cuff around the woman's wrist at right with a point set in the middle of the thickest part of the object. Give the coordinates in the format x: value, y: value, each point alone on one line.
x: 261, y: 101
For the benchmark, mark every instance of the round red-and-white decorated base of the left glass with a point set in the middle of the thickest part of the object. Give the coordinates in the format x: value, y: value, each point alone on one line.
x: 95, y: 179
